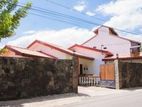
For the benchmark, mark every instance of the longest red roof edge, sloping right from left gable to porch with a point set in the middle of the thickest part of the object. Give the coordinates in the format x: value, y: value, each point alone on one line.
x: 61, y: 49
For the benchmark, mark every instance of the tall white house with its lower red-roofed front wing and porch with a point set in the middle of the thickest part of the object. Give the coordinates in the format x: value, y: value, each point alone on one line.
x: 105, y: 46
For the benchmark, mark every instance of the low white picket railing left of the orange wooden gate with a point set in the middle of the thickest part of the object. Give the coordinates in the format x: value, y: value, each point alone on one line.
x: 87, y: 80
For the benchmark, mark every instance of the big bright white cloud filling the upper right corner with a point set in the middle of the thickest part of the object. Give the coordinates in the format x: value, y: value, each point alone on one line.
x: 125, y: 14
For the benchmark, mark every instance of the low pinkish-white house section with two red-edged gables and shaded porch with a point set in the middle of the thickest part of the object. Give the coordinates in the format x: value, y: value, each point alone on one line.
x: 86, y: 56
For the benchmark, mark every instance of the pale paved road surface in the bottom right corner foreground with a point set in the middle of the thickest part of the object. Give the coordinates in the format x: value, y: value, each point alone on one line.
x: 132, y: 98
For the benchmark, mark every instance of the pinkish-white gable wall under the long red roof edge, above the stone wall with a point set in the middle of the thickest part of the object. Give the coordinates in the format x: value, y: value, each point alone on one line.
x: 60, y: 55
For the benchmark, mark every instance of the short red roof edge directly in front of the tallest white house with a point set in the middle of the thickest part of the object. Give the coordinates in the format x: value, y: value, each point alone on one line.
x: 93, y: 49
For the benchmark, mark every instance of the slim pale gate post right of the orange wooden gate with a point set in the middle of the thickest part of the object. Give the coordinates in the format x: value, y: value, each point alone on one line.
x: 116, y: 74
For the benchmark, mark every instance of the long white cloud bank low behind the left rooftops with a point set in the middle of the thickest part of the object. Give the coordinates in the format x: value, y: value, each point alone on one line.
x: 64, y: 37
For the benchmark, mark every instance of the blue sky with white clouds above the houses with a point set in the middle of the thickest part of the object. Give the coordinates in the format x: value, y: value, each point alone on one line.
x: 68, y: 22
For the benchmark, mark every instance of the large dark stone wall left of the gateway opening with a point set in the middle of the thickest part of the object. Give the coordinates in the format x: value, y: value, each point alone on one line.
x: 25, y: 78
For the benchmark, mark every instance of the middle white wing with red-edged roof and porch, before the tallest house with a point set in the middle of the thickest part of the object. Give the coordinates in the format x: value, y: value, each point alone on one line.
x: 90, y: 67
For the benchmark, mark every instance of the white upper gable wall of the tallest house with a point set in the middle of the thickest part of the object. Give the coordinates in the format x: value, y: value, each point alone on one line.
x: 113, y: 43
